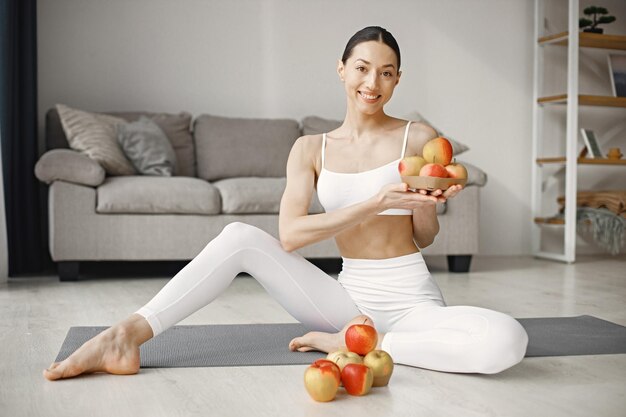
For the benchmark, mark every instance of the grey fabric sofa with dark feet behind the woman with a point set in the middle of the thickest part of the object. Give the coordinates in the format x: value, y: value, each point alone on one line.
x: 228, y: 170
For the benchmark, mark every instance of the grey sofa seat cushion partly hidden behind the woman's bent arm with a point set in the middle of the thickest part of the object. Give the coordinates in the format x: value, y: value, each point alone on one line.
x: 256, y: 195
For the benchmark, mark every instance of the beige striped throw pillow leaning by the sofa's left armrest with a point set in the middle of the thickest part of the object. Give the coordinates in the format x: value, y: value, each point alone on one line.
x: 95, y: 135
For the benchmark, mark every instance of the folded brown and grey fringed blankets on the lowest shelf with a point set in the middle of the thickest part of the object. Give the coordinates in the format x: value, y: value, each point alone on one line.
x: 605, y: 213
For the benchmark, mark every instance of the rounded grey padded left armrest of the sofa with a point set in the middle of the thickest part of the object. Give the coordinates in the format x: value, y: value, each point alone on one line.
x: 68, y: 165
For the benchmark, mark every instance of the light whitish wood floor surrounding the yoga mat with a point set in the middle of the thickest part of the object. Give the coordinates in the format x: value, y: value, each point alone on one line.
x: 36, y: 313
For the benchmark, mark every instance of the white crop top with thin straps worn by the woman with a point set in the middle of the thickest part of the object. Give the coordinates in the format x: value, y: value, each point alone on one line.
x: 337, y: 190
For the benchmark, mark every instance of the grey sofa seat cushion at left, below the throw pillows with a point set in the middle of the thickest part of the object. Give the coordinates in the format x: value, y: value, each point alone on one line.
x: 157, y: 195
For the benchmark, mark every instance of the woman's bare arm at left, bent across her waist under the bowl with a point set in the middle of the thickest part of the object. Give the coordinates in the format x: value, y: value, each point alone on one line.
x: 297, y: 228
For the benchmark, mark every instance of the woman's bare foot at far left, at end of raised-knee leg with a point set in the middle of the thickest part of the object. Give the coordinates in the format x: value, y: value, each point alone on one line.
x: 115, y: 351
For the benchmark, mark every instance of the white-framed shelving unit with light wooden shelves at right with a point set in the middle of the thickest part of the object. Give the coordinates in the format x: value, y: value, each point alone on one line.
x: 573, y: 40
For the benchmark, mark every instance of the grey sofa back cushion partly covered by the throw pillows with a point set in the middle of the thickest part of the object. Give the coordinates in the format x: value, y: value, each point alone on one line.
x: 177, y: 128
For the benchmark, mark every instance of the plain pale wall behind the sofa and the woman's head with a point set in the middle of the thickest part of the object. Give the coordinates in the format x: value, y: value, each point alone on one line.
x: 467, y: 66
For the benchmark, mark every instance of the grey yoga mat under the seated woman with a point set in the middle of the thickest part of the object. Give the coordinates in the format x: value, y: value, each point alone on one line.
x: 267, y: 344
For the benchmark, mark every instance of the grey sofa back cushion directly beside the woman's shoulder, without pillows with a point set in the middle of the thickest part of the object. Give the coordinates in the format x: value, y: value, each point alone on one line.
x: 231, y: 147
